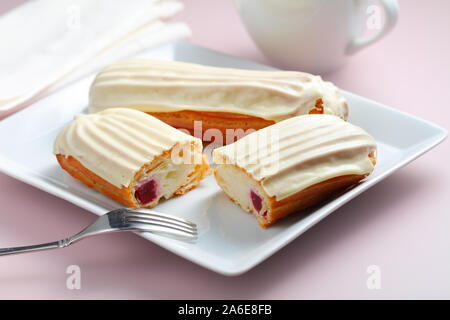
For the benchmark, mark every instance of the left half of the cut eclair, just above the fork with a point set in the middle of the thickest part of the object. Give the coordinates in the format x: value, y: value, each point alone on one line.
x: 130, y: 156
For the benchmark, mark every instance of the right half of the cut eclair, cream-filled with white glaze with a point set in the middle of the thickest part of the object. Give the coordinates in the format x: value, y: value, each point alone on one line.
x: 294, y: 164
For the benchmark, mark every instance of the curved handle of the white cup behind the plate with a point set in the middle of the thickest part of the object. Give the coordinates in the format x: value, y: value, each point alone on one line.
x: 391, y: 9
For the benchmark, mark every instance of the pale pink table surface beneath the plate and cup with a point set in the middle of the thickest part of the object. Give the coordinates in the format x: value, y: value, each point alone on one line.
x: 401, y: 225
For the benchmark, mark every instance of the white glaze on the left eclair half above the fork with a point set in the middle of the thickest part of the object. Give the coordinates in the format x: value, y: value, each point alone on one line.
x: 116, y: 143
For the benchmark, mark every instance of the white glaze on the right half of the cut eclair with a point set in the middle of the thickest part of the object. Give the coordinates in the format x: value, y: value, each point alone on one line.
x: 299, y: 152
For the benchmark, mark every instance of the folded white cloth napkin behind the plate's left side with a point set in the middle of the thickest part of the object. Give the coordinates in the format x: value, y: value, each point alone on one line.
x: 46, y: 44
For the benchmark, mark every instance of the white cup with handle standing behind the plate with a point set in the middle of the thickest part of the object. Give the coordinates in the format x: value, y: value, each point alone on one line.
x: 315, y: 36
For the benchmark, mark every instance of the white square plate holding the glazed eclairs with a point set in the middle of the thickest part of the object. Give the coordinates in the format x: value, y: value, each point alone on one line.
x: 230, y: 241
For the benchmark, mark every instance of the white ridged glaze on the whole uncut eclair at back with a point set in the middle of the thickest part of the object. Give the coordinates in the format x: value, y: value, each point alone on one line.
x: 167, y: 86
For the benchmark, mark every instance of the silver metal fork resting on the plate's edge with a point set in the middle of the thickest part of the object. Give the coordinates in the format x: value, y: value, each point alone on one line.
x: 121, y: 220
